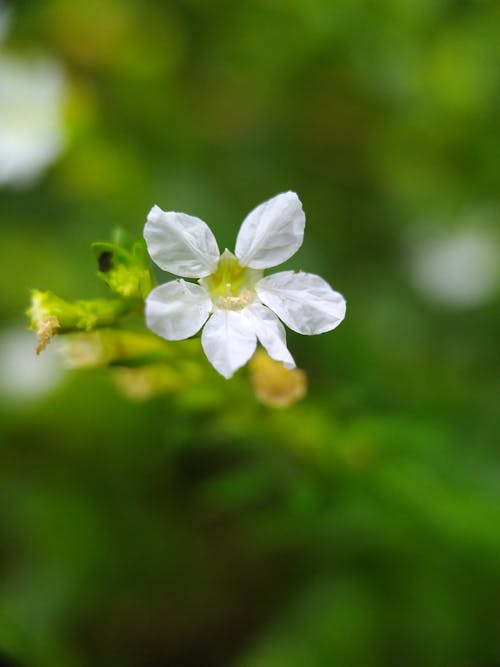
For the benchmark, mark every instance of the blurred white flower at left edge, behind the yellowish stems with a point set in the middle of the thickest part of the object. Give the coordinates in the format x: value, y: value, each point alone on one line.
x: 23, y: 375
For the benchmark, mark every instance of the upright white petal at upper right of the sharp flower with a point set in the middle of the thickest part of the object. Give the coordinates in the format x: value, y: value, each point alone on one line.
x: 272, y: 232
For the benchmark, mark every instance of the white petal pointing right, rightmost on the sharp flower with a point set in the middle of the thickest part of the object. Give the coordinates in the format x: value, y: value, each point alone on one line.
x: 305, y: 302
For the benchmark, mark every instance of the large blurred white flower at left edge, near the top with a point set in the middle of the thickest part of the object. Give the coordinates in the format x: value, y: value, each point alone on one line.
x: 31, y: 126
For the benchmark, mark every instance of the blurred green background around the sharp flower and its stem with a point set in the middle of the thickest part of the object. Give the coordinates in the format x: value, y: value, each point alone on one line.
x: 360, y: 527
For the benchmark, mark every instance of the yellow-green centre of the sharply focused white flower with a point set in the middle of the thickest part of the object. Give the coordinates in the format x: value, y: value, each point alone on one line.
x: 231, y: 286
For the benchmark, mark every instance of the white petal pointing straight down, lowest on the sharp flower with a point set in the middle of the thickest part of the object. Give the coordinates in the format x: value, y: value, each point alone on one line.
x: 229, y: 340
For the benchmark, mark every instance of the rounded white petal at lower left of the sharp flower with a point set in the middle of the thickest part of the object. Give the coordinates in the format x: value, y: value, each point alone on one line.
x: 177, y: 310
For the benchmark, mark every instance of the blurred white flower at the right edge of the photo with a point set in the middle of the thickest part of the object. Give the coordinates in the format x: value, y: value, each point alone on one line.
x: 460, y: 269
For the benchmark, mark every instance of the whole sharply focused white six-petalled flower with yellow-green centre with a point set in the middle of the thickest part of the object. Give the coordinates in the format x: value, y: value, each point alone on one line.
x: 241, y: 306
